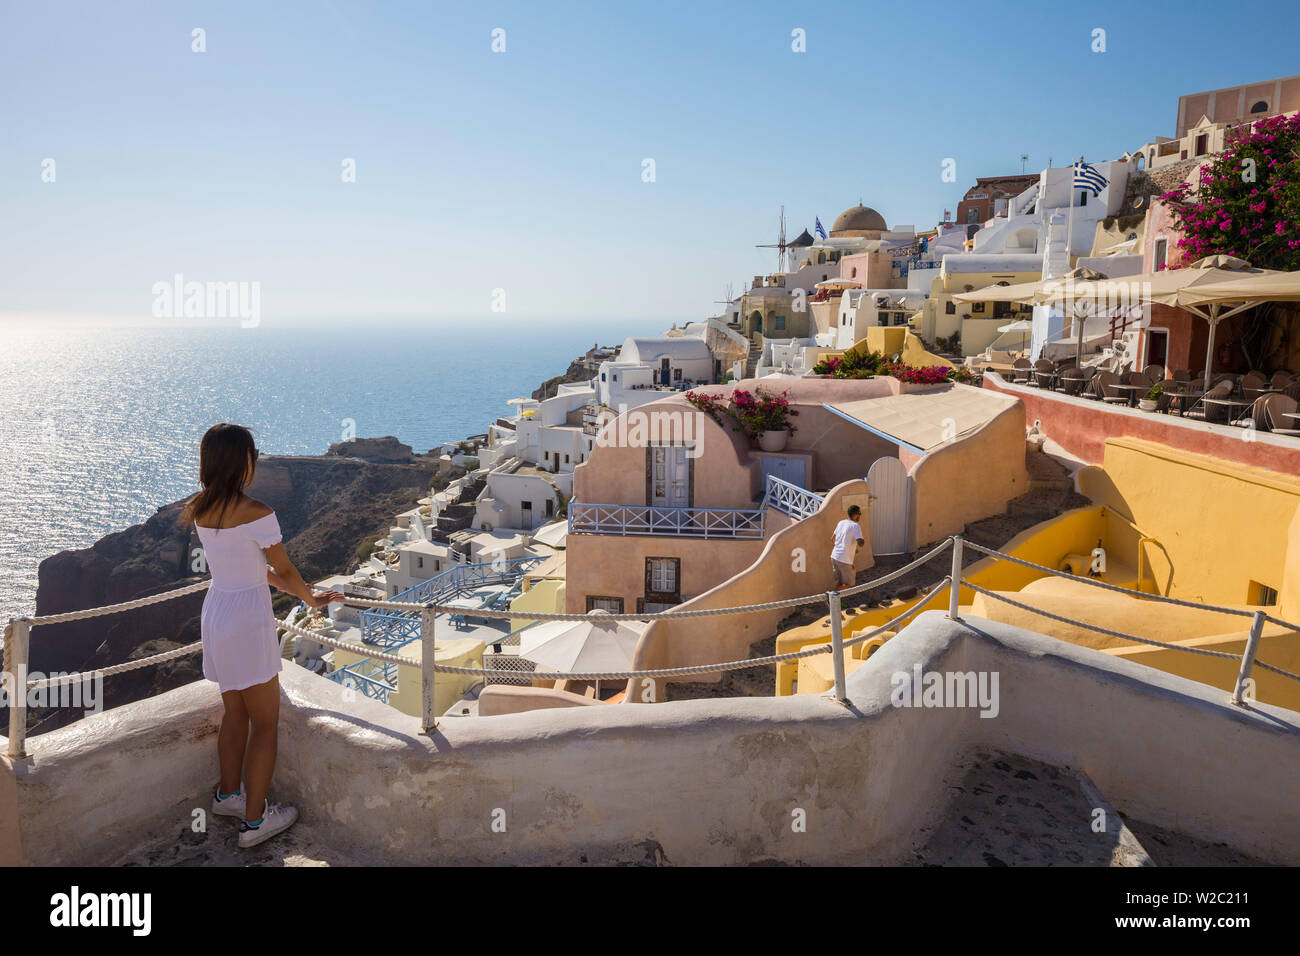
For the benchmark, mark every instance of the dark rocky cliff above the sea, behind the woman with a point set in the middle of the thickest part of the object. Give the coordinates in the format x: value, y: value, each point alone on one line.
x: 327, y: 507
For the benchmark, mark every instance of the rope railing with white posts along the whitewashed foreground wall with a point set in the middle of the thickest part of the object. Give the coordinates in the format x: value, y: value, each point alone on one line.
x: 18, y: 633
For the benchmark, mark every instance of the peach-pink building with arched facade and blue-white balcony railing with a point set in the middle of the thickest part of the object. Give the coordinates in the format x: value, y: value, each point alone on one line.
x: 665, y: 512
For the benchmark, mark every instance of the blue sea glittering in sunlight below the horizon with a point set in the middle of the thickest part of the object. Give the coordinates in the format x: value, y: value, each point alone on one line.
x: 101, y: 422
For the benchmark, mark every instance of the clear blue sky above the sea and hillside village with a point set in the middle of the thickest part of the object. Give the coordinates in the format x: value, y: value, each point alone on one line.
x: 522, y: 171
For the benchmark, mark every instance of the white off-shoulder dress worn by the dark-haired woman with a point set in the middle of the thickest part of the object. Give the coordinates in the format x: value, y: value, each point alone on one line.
x: 240, y: 647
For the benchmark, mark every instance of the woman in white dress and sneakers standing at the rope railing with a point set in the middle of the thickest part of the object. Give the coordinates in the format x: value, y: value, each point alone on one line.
x: 241, y: 654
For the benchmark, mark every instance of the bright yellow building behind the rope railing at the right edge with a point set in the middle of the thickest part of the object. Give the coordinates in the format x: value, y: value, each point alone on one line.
x: 1169, y: 522
